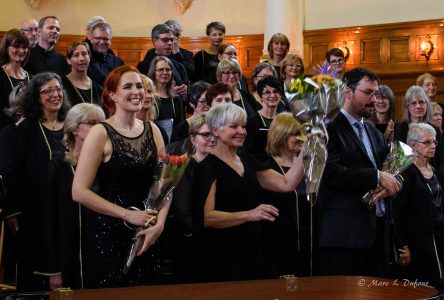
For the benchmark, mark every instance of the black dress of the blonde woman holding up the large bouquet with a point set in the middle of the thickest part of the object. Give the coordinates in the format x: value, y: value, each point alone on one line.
x: 290, y: 238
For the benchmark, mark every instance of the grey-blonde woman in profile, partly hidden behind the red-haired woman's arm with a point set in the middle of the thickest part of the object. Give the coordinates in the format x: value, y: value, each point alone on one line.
x: 64, y: 217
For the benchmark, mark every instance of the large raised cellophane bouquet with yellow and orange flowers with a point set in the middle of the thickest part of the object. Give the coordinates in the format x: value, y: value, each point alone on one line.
x: 316, y: 99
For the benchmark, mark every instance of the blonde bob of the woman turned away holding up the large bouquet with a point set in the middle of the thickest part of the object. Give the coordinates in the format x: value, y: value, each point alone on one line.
x: 283, y: 126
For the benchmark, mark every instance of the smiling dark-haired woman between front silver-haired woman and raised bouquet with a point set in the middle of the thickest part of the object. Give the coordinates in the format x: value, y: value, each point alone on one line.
x: 269, y: 89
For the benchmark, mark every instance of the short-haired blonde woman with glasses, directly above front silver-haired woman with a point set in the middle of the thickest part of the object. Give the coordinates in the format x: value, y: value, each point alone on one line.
x: 229, y: 72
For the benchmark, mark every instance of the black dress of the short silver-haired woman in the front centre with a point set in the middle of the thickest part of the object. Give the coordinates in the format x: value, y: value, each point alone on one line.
x: 231, y: 253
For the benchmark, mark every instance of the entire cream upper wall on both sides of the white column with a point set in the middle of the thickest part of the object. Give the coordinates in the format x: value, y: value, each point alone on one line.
x: 135, y: 18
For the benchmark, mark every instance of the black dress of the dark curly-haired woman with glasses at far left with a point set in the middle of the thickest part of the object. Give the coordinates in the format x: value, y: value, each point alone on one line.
x: 35, y: 146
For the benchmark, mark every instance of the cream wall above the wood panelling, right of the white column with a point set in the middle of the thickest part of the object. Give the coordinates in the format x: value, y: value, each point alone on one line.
x: 321, y: 14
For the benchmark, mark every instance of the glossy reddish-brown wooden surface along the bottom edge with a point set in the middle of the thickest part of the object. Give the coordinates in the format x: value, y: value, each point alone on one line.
x: 328, y: 287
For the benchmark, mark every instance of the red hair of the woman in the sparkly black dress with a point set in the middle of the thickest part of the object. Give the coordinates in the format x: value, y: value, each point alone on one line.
x: 110, y: 86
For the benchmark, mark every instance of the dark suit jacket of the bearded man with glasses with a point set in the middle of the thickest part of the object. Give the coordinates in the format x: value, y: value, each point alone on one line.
x: 344, y: 221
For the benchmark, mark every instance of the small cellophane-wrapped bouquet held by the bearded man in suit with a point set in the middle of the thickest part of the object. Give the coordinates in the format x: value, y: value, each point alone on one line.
x: 401, y: 156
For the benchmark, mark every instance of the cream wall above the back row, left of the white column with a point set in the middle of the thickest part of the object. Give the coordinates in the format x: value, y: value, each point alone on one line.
x: 135, y: 18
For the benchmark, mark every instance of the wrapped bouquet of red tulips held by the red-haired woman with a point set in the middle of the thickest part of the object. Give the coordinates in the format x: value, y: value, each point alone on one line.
x: 169, y: 170
